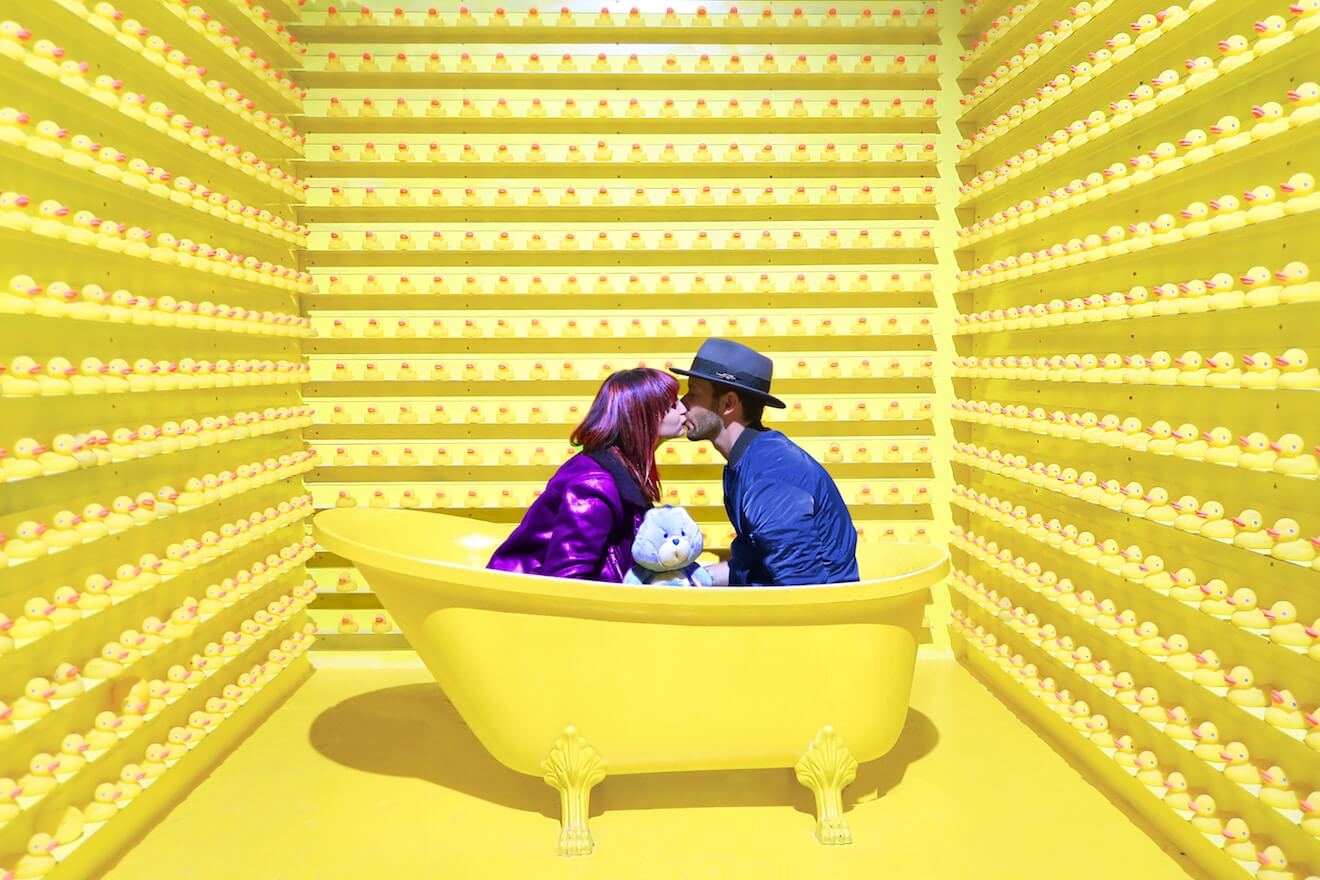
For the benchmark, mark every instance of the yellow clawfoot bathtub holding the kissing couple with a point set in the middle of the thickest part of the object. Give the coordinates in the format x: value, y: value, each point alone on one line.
x: 572, y: 680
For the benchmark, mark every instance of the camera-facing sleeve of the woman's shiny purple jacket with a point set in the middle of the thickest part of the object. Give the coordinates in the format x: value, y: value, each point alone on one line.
x: 581, y: 534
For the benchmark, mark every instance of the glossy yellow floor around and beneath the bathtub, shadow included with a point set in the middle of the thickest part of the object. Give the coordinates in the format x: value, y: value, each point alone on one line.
x: 373, y: 775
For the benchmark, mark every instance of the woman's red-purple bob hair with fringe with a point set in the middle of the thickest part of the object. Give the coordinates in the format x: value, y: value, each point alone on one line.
x: 626, y: 418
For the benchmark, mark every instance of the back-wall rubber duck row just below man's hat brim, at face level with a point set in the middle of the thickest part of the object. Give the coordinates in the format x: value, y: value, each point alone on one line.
x: 568, y: 416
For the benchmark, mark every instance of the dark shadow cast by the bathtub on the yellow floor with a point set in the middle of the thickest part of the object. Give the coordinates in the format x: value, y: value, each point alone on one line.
x: 414, y: 732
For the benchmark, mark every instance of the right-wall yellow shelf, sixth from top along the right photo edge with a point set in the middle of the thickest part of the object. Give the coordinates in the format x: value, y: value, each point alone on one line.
x: 1235, y: 487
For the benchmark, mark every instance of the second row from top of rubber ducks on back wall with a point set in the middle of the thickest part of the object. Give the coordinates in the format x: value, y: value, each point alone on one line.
x: 634, y: 64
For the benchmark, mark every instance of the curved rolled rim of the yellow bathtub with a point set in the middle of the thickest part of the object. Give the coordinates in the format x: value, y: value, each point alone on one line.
x: 331, y: 528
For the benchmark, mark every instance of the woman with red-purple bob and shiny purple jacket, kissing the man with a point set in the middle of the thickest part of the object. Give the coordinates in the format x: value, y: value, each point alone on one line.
x: 584, y: 524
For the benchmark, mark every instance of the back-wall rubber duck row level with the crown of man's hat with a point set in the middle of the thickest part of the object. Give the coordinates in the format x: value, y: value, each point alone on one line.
x: 539, y: 371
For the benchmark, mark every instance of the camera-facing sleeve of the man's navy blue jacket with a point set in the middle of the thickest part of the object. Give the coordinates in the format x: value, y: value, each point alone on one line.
x: 781, y: 524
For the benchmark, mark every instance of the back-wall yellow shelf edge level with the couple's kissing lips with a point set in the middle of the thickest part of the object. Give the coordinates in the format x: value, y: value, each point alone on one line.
x: 554, y: 432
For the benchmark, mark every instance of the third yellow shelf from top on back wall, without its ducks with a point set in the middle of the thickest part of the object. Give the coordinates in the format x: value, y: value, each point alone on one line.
x: 617, y: 126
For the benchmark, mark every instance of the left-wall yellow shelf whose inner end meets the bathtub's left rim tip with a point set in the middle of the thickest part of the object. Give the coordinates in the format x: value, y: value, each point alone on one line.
x: 108, y: 625
